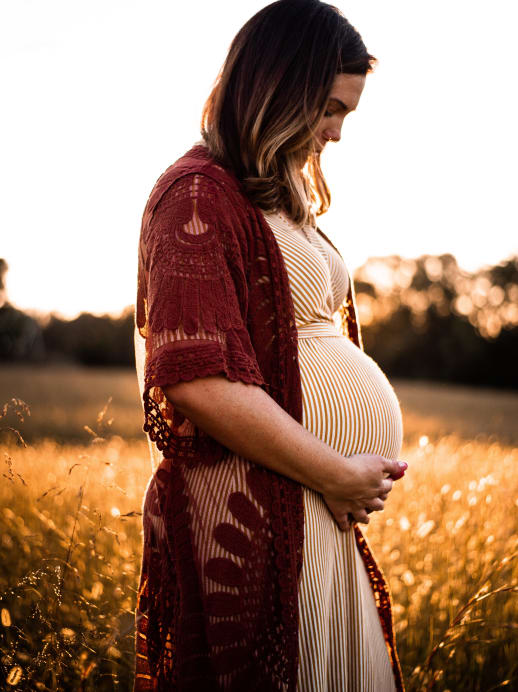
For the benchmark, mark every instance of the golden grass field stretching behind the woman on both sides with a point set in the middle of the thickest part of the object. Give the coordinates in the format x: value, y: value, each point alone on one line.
x: 70, y: 536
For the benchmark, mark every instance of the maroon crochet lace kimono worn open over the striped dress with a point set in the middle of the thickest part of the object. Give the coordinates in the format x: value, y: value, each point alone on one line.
x: 217, y: 602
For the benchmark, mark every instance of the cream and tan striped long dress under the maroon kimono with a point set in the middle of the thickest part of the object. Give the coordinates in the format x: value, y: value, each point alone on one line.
x: 349, y: 404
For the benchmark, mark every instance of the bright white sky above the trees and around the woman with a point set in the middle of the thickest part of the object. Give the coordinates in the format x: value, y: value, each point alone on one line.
x: 100, y: 96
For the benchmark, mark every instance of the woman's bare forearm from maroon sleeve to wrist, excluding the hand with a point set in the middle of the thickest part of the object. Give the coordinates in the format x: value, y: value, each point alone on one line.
x: 244, y: 418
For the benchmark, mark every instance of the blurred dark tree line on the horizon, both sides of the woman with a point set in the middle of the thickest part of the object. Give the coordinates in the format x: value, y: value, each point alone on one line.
x: 422, y: 318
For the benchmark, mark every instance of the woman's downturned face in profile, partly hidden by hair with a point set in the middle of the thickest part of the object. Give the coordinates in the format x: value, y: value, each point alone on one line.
x: 343, y: 98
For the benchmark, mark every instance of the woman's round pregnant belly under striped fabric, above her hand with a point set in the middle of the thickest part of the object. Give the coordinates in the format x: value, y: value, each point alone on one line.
x: 348, y: 402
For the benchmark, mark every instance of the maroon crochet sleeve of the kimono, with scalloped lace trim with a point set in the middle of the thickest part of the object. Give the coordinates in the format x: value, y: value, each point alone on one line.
x: 191, y: 306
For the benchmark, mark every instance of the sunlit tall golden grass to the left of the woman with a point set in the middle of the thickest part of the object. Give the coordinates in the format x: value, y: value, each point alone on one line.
x: 70, y: 545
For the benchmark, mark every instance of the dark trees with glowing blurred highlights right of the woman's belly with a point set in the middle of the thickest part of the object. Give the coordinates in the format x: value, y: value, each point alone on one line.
x: 427, y: 318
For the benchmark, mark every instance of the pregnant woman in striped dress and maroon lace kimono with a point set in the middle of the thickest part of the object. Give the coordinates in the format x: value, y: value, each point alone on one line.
x: 272, y: 434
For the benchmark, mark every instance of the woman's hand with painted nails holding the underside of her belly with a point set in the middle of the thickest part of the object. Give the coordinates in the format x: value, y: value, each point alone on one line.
x: 372, y: 484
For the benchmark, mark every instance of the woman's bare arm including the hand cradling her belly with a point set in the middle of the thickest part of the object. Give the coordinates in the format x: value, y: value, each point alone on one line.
x: 248, y: 421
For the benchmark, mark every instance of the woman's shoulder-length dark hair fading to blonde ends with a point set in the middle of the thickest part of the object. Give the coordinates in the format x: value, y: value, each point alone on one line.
x: 269, y: 96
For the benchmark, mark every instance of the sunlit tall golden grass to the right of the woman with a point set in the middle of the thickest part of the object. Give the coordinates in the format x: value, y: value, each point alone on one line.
x: 448, y: 545
